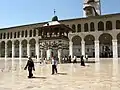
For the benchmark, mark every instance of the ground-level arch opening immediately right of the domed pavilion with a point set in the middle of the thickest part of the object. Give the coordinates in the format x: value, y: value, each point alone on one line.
x: 76, y: 46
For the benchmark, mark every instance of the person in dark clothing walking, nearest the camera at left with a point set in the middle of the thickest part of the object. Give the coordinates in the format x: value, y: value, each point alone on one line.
x: 30, y: 66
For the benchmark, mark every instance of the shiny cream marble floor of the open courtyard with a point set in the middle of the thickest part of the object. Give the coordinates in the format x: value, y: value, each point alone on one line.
x: 102, y: 75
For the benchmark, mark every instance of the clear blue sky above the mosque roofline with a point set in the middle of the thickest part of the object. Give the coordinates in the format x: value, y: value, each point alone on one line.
x: 22, y: 12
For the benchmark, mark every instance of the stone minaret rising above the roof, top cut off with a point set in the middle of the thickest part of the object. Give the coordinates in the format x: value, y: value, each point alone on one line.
x: 91, y: 8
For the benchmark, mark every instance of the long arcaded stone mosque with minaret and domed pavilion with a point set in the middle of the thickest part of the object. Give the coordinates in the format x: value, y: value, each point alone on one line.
x: 96, y: 35
